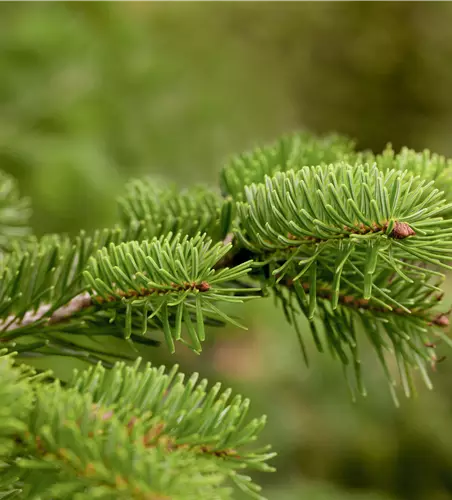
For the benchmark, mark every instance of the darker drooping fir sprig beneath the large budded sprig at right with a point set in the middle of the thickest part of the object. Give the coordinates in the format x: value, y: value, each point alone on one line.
x: 411, y: 332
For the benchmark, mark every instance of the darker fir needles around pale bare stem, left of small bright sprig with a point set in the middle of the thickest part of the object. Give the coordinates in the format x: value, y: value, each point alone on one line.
x: 42, y: 294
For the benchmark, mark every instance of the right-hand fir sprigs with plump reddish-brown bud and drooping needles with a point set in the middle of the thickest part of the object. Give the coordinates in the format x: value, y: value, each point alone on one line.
x: 349, y: 240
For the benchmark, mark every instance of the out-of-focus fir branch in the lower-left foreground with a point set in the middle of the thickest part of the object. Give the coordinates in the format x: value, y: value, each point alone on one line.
x: 130, y: 433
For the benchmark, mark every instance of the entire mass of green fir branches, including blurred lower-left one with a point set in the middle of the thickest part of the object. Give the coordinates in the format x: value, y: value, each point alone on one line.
x: 348, y: 243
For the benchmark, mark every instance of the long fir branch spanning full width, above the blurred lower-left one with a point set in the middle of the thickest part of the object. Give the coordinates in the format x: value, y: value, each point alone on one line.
x: 357, y: 243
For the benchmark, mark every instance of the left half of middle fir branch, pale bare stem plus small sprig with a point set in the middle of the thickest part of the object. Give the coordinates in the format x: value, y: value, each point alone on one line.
x: 45, y: 284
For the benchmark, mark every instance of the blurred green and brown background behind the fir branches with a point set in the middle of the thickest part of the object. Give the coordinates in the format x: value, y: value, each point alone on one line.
x: 93, y: 93
